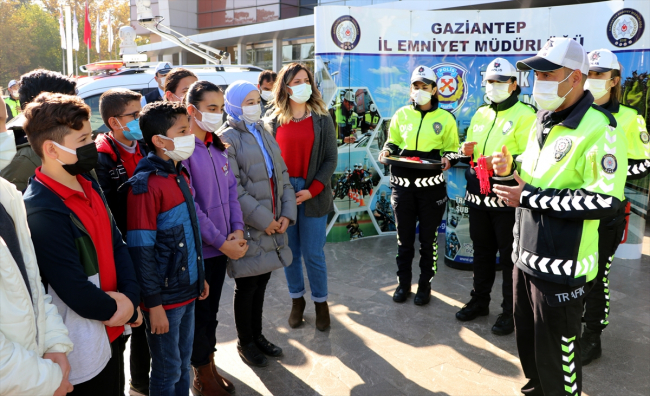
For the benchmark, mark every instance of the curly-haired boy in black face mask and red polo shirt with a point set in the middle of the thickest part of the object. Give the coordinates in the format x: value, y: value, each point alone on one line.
x: 80, y: 252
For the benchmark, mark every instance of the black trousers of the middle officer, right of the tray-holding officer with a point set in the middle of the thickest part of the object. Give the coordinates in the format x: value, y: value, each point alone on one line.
x: 491, y: 231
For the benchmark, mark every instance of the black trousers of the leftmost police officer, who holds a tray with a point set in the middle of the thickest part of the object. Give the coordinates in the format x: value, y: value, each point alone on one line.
x: 428, y: 207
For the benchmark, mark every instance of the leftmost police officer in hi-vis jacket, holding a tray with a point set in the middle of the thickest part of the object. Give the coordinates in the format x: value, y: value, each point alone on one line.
x: 423, y: 130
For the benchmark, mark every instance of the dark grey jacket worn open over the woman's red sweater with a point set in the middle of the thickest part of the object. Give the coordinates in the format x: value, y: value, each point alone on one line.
x: 322, y: 163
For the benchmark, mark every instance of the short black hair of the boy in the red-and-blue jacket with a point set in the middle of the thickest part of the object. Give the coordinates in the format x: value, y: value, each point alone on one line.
x: 157, y: 118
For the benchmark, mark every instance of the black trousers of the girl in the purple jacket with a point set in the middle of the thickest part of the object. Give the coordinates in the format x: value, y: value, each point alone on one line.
x: 205, y: 312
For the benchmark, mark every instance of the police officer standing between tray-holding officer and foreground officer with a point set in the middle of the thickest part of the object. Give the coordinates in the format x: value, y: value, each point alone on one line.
x: 505, y: 121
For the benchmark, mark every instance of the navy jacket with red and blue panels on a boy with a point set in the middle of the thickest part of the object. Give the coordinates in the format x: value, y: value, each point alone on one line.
x: 163, y: 233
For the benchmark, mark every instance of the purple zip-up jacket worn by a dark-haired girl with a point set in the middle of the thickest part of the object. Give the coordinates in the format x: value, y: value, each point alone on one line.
x: 217, y: 206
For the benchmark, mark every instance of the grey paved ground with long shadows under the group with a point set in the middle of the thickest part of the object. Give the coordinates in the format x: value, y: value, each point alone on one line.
x: 376, y: 347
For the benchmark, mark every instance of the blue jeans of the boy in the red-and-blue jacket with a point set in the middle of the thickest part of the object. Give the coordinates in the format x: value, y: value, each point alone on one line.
x: 170, y: 353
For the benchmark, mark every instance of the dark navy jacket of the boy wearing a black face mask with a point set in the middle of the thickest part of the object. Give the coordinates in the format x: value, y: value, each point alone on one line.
x: 66, y: 254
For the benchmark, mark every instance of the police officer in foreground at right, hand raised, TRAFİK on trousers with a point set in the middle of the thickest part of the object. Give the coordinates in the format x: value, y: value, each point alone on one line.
x: 572, y: 176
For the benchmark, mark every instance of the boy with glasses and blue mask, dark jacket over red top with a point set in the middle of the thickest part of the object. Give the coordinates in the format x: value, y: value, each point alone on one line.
x: 120, y: 150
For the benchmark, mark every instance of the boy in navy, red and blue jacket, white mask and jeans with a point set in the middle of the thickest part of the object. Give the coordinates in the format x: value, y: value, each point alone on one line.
x: 165, y: 244
